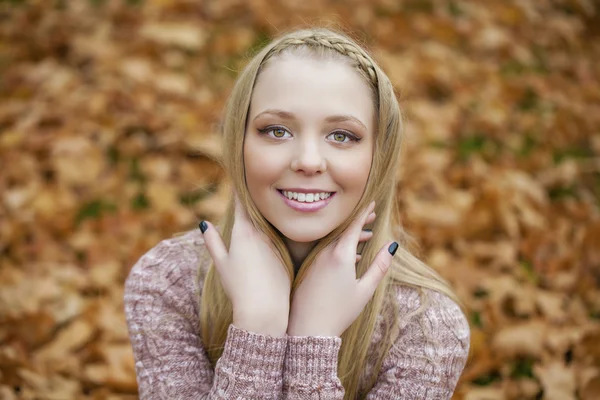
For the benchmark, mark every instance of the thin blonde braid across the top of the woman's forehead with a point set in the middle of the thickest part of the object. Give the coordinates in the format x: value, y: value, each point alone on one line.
x: 338, y: 44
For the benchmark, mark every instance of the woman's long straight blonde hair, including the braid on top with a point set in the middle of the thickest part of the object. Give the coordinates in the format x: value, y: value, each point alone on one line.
x: 215, y: 307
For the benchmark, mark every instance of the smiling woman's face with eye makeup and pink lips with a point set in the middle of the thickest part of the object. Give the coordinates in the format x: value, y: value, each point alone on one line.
x: 308, y: 145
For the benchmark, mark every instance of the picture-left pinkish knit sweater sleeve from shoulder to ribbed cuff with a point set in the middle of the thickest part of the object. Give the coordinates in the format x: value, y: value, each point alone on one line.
x: 170, y: 361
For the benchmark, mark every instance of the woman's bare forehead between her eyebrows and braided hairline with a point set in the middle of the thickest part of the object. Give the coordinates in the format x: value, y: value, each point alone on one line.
x: 313, y: 88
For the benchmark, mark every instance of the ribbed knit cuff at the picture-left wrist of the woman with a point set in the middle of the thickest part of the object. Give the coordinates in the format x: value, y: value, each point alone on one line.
x: 252, y: 355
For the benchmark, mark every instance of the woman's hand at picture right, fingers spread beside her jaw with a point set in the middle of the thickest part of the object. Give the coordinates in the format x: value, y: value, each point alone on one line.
x: 330, y: 297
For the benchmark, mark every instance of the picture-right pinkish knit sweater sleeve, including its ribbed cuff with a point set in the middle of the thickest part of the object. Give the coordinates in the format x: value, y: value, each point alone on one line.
x: 424, y: 362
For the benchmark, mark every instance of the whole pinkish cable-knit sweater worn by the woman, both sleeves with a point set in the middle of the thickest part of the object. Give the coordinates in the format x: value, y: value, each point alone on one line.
x: 162, y: 312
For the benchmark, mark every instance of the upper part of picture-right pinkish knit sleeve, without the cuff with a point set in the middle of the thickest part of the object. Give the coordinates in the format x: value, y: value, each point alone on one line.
x: 429, y: 355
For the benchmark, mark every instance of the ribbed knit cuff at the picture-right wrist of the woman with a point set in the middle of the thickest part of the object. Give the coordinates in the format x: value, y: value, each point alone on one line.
x: 311, y: 358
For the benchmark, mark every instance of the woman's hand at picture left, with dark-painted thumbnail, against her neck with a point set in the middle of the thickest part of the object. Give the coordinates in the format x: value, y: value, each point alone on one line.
x: 252, y: 275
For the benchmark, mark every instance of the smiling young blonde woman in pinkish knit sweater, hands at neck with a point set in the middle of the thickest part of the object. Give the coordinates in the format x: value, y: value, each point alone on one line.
x: 276, y: 303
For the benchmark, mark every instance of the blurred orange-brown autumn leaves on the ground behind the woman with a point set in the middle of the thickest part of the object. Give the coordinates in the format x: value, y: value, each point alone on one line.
x: 108, y: 143
